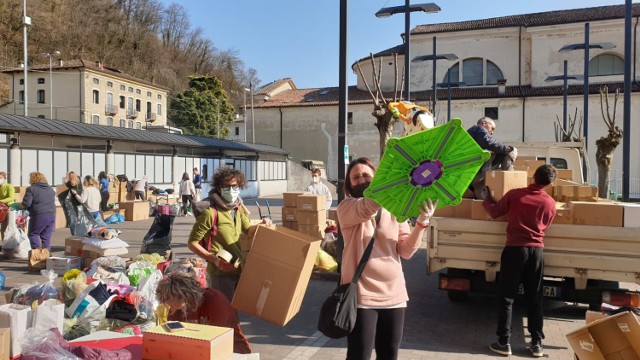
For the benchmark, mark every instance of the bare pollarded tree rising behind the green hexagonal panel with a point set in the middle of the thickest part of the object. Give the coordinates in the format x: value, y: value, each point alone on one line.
x: 384, y: 119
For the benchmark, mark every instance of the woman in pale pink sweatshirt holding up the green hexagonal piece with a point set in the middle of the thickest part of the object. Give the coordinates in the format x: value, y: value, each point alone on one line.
x: 382, y: 294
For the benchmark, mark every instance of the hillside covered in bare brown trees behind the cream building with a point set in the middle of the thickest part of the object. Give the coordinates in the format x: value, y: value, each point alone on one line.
x: 143, y: 38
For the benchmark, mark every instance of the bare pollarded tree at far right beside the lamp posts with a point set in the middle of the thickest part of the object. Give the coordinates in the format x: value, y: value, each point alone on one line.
x: 606, y: 145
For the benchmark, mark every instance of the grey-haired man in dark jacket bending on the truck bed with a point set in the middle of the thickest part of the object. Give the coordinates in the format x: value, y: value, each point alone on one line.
x: 501, y: 155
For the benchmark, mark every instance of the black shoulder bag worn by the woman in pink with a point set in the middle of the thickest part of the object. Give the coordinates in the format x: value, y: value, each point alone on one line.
x: 339, y: 311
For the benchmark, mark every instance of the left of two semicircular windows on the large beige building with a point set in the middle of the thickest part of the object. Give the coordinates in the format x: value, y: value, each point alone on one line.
x: 475, y: 72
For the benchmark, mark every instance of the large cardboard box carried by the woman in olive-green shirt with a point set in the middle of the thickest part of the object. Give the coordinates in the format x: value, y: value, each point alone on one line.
x: 276, y: 274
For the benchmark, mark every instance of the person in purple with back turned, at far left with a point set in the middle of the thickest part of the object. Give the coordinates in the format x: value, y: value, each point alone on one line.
x: 39, y: 200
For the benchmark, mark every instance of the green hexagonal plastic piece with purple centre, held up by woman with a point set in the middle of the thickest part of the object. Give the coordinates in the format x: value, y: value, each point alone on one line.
x: 438, y: 163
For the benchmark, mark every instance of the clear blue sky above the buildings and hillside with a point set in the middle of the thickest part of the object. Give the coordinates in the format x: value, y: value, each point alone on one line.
x: 300, y: 39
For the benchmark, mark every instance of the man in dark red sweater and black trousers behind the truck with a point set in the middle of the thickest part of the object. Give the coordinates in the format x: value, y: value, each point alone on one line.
x: 530, y: 212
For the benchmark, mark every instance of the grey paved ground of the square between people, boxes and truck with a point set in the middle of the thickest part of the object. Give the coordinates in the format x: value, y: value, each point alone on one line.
x: 435, y: 328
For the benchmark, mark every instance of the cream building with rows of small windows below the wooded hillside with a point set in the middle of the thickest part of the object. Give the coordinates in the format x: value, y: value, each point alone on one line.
x: 87, y: 92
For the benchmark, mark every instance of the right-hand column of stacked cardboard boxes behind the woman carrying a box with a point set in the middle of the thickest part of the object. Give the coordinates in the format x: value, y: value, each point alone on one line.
x: 311, y: 214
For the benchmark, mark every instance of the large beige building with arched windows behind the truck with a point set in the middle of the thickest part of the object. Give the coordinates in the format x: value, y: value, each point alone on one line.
x: 504, y: 63
